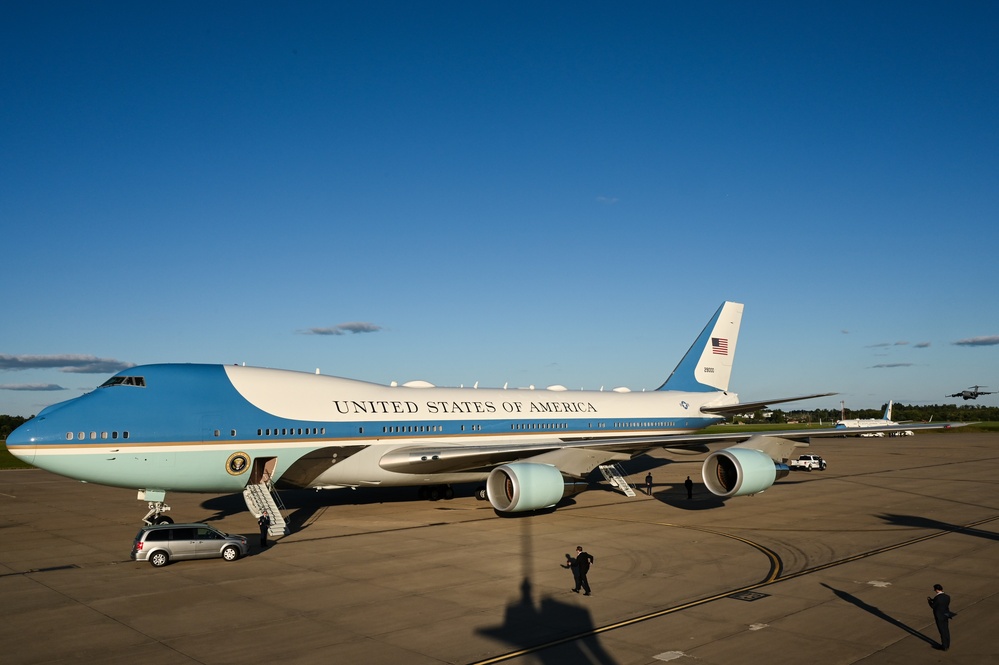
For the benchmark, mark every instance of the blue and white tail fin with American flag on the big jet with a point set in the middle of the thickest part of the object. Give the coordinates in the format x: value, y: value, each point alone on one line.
x: 707, y: 366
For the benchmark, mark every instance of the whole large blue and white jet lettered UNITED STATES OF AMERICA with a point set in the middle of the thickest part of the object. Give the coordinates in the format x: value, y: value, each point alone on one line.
x: 226, y: 428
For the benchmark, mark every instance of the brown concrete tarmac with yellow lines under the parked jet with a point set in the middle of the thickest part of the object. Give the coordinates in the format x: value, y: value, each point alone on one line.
x: 824, y: 567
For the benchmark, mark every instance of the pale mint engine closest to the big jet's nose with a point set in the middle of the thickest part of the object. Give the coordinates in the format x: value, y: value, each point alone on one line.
x: 521, y: 486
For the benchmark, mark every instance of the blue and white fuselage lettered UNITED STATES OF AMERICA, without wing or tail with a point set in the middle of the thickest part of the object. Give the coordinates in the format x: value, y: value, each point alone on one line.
x: 175, y: 427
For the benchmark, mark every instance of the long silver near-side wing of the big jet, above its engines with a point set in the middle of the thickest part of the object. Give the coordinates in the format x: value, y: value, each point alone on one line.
x: 580, y: 456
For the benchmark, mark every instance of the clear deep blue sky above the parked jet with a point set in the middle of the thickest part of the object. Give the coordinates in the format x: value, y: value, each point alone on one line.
x: 532, y: 193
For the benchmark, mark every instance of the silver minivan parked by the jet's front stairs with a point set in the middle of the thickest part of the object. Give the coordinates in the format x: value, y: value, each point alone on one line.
x: 160, y: 543
